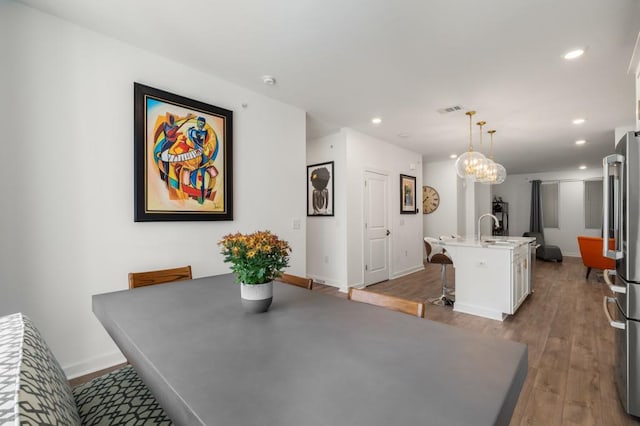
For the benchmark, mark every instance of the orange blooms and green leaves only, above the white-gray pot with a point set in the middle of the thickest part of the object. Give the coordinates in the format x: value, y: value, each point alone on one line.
x: 255, y: 258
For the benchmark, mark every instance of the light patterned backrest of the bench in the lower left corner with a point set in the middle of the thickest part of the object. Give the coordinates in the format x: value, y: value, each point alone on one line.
x: 44, y: 395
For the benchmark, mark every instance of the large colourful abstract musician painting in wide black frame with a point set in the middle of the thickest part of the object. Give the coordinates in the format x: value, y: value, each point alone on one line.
x: 182, y: 158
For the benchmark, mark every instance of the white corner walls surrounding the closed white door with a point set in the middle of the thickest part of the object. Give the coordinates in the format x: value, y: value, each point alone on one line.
x: 335, y: 244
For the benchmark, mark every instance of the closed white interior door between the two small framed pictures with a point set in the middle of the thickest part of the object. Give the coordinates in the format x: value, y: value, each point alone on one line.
x: 376, y: 228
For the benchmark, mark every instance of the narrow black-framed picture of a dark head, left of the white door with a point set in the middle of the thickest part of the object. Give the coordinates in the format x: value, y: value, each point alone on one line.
x: 320, y: 193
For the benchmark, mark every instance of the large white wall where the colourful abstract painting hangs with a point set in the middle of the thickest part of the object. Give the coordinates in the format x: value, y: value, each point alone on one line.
x: 67, y: 180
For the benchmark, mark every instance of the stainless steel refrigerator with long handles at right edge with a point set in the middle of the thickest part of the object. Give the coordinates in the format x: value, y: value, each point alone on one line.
x: 621, y: 230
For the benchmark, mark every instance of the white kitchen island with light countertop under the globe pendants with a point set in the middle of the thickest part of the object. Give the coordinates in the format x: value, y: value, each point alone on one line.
x: 492, y: 276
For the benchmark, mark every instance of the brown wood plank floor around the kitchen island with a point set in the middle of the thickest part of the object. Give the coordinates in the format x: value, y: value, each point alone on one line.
x: 571, y: 354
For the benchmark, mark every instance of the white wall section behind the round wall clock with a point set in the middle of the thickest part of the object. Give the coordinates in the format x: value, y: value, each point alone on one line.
x: 442, y: 177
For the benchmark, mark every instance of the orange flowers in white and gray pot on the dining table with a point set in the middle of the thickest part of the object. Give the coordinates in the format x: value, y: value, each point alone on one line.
x: 256, y: 260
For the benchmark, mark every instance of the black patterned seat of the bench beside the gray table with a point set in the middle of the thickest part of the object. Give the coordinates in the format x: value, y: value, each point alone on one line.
x: 118, y: 398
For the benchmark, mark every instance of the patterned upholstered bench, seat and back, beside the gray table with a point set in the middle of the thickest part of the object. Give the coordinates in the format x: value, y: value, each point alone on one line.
x: 34, y: 390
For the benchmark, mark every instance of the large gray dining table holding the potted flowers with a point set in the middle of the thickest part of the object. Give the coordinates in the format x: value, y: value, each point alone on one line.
x: 311, y: 360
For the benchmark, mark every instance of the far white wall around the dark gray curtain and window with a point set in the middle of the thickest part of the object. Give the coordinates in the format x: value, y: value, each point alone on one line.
x: 516, y: 190
